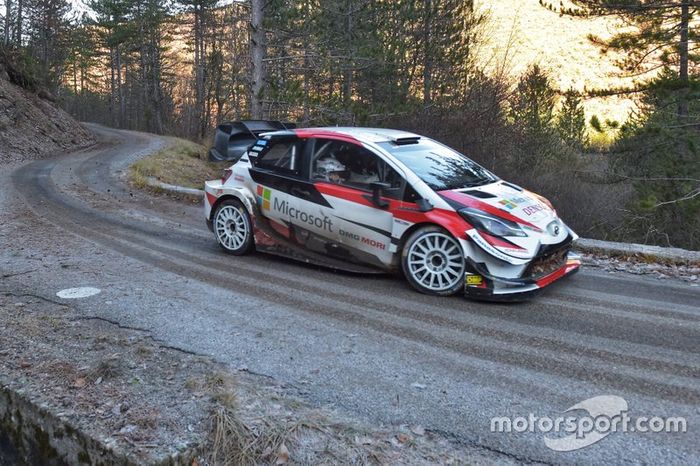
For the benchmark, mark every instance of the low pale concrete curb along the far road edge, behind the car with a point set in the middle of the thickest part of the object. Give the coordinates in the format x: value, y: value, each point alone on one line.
x: 592, y: 246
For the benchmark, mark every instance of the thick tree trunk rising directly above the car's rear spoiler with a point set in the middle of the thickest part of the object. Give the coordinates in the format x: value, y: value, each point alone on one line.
x: 257, y: 57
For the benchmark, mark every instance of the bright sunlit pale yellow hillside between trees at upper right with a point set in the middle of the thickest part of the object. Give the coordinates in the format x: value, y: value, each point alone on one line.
x: 521, y: 32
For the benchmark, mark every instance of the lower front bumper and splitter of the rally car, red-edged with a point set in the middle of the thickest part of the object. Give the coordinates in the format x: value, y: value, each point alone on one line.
x: 480, y: 284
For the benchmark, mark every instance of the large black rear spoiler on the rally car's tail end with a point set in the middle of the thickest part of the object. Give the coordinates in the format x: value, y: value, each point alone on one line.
x: 233, y: 138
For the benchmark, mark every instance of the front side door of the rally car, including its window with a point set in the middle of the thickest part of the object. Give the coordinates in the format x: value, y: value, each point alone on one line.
x: 363, y: 228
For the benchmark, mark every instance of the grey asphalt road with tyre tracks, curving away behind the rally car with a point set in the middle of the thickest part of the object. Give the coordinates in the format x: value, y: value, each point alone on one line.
x: 368, y: 346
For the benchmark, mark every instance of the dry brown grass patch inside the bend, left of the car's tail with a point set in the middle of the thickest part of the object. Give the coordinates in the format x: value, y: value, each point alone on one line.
x: 182, y: 163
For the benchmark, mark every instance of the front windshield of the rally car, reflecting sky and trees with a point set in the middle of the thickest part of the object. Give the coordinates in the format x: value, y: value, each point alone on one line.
x: 439, y: 166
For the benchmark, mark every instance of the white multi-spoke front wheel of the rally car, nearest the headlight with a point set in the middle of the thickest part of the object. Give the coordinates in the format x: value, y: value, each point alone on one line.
x: 433, y: 262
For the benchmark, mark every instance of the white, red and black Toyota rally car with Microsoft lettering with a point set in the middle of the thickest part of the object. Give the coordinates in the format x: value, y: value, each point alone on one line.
x: 363, y: 199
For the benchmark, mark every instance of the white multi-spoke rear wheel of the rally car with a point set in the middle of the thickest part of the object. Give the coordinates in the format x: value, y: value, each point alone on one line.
x: 233, y: 228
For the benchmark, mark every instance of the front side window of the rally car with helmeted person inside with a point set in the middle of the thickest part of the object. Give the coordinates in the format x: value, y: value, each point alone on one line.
x: 351, y: 165
